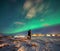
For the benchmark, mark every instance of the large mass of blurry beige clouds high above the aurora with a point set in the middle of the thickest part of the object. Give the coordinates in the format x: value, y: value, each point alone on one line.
x: 31, y: 7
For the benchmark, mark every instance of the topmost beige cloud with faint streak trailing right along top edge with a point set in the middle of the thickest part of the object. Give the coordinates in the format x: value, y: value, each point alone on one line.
x: 31, y: 3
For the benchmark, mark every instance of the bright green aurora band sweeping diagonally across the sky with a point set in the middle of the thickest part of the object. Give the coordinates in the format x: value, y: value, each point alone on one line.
x: 35, y: 23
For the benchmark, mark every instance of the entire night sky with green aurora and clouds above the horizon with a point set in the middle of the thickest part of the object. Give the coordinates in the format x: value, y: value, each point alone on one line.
x: 22, y: 15
